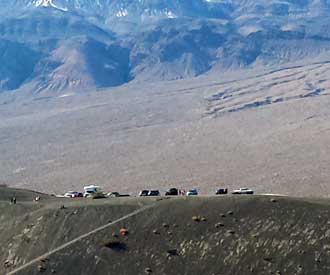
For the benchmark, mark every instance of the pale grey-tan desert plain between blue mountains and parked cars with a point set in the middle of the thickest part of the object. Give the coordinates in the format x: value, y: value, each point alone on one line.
x: 265, y: 130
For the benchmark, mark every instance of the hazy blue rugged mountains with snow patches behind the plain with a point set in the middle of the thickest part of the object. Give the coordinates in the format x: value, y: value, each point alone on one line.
x: 55, y: 46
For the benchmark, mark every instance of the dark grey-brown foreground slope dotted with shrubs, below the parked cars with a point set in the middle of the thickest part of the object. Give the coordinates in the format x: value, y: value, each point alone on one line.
x: 209, y: 235
